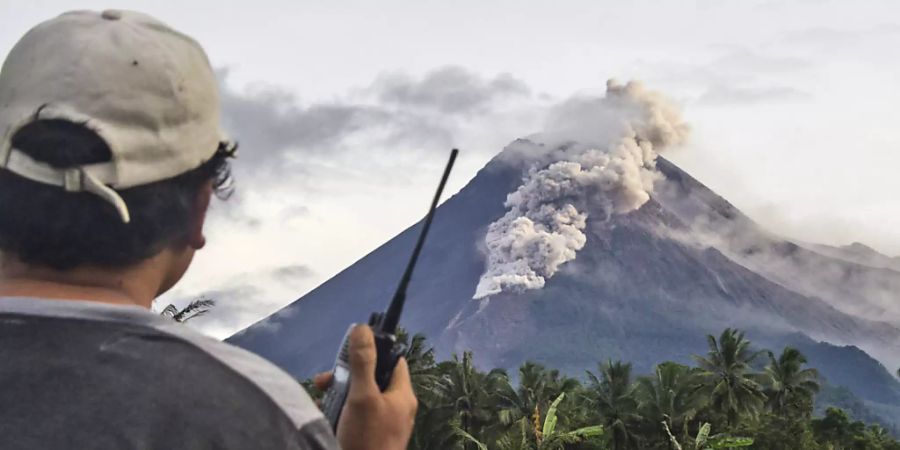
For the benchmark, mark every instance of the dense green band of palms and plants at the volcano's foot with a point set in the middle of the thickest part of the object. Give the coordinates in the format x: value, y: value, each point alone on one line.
x: 731, y: 397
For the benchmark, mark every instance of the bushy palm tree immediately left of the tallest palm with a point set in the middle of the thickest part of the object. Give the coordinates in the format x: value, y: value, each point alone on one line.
x: 670, y: 396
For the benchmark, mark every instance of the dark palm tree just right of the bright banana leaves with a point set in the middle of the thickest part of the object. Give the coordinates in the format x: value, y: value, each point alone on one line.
x: 612, y: 395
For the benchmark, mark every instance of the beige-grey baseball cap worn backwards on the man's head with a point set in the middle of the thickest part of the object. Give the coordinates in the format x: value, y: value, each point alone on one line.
x: 147, y: 90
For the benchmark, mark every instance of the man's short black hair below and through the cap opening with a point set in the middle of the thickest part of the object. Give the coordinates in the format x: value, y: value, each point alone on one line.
x: 47, y: 226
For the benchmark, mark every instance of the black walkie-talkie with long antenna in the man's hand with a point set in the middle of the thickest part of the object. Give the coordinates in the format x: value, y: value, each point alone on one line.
x: 384, y: 326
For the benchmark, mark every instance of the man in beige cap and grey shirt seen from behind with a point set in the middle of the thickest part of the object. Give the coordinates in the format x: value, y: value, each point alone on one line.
x: 111, y: 152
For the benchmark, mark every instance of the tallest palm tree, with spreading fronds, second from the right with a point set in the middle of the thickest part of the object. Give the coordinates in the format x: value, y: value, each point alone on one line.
x: 726, y: 374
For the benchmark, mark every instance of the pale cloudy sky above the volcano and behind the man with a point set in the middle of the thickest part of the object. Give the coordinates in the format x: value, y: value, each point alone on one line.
x: 345, y: 111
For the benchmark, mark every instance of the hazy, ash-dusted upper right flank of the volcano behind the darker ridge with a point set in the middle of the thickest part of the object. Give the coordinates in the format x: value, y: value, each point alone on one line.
x: 837, y: 276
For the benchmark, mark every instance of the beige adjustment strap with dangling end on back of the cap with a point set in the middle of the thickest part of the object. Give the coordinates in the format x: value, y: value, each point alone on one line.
x: 89, y: 178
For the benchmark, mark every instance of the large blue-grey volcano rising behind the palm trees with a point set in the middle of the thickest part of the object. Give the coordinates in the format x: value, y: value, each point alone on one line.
x: 647, y: 286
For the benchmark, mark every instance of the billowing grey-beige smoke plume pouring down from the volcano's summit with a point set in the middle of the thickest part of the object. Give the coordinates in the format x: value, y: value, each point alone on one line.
x: 606, y: 165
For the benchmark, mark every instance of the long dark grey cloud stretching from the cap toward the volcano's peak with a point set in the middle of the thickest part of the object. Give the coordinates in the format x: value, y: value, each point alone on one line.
x: 272, y: 125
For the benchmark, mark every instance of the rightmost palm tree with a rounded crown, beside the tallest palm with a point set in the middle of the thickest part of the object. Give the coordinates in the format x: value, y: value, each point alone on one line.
x: 790, y: 387
